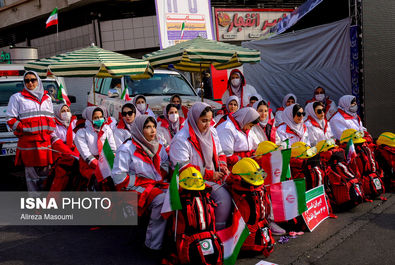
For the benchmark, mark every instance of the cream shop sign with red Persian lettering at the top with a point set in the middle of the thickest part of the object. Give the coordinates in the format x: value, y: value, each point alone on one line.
x: 247, y: 23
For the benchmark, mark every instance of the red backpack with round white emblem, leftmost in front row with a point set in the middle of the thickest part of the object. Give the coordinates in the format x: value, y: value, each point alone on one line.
x: 196, y: 238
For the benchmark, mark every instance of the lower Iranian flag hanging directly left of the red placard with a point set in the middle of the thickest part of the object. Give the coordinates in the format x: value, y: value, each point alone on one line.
x: 288, y: 199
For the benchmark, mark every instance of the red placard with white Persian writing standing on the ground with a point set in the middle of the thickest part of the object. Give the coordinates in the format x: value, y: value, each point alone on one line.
x: 317, y: 207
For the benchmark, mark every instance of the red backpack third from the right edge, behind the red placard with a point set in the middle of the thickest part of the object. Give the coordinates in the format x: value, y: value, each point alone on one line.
x: 341, y: 185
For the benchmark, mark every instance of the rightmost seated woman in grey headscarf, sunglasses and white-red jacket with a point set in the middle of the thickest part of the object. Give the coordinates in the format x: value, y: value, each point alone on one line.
x: 346, y: 117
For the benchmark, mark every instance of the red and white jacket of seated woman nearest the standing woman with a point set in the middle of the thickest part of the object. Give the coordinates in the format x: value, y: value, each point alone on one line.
x: 63, y: 139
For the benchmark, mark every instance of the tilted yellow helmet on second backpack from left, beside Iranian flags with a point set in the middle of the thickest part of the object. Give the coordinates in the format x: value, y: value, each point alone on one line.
x: 249, y: 171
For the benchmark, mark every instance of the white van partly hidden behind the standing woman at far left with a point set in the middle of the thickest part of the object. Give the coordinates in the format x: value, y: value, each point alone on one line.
x: 11, y: 82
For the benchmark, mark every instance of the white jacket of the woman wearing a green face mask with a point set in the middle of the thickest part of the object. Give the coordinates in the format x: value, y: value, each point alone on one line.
x: 86, y: 141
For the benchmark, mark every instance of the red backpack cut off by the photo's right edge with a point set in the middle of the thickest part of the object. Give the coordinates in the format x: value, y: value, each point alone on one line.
x: 385, y: 157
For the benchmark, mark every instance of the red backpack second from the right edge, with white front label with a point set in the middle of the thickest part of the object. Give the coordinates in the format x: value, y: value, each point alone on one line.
x: 369, y: 173
